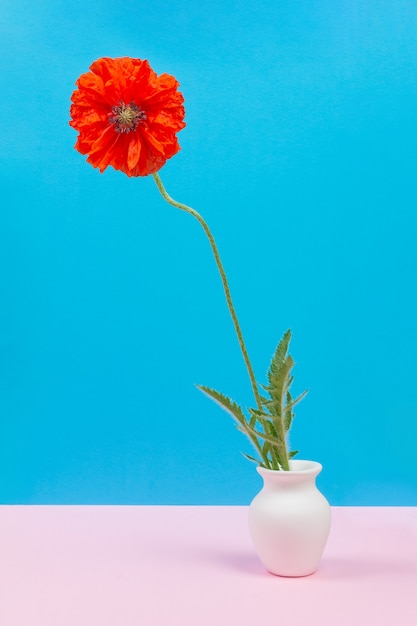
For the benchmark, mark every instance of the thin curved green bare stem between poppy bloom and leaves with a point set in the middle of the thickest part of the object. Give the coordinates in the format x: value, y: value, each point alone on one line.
x: 226, y: 288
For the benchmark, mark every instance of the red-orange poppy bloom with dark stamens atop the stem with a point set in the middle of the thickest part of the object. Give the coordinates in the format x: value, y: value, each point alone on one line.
x: 127, y: 116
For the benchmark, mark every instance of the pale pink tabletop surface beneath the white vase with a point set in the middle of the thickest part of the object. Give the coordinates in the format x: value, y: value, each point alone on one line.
x: 195, y: 566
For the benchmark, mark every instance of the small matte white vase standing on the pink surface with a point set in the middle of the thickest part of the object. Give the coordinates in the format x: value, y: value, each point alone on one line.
x: 289, y: 520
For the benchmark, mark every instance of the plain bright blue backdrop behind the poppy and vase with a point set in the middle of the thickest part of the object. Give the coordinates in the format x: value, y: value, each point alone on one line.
x: 300, y: 151
